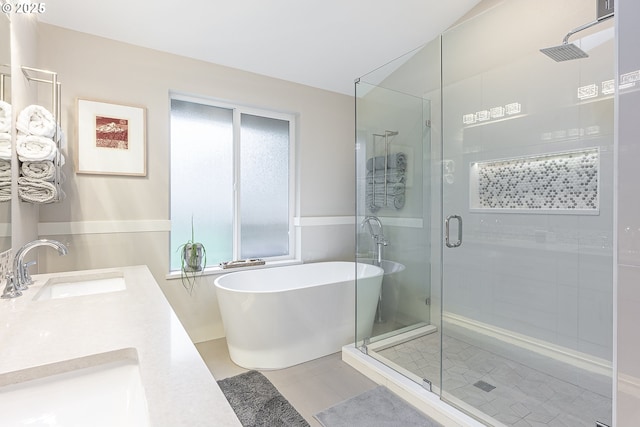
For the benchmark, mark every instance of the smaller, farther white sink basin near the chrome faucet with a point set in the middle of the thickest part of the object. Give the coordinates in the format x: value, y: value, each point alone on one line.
x: 73, y: 286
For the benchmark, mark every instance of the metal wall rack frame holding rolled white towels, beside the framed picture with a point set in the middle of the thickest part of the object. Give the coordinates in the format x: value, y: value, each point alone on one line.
x: 51, y: 78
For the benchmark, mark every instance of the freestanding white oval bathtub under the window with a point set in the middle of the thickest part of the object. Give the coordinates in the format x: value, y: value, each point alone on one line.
x: 279, y: 317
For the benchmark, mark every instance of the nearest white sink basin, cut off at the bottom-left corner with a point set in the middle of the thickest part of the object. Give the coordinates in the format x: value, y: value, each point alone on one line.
x: 98, y: 390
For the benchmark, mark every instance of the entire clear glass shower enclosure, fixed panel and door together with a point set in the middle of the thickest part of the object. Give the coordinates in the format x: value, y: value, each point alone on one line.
x: 499, y: 292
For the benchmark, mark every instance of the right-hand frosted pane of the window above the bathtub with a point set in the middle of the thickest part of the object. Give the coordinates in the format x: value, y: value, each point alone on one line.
x: 264, y: 186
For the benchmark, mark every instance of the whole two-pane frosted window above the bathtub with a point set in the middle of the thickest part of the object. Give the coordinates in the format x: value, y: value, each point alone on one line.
x: 231, y: 171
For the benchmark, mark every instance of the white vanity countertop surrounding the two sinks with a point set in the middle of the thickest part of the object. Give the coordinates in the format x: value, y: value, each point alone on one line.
x: 179, y: 388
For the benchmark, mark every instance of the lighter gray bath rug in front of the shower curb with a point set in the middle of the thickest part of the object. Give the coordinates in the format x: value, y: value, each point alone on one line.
x: 375, y: 408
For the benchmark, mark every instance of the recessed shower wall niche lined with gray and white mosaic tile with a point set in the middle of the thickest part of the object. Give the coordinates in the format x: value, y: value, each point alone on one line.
x: 564, y: 182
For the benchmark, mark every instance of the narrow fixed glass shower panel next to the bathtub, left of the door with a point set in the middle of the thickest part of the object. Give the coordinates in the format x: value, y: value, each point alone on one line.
x: 394, y: 170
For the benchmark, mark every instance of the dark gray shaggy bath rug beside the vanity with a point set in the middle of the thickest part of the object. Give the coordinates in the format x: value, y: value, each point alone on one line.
x: 257, y: 403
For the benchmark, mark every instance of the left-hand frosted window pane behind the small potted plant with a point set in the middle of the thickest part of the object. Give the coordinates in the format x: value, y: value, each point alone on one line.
x: 201, y: 179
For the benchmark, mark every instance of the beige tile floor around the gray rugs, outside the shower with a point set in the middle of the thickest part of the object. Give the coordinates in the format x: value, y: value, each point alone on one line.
x: 310, y: 387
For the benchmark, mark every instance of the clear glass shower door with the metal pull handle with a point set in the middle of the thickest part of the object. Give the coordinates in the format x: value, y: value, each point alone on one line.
x: 527, y: 163
